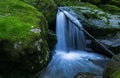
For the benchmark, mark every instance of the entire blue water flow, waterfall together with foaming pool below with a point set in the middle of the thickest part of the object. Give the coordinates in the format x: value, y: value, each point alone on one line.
x: 70, y: 57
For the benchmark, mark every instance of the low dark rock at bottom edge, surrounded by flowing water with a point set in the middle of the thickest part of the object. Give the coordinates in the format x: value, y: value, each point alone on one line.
x: 87, y: 75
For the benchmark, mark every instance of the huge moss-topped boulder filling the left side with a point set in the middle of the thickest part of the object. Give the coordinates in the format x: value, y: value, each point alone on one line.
x: 23, y: 40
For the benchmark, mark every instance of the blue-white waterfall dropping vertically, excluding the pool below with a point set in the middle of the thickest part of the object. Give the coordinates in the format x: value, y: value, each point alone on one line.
x: 68, y: 35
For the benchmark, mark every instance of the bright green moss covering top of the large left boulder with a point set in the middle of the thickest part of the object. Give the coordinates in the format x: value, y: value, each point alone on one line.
x: 16, y: 20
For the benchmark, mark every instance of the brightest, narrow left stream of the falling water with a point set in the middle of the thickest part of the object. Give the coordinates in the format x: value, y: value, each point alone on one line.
x: 61, y: 32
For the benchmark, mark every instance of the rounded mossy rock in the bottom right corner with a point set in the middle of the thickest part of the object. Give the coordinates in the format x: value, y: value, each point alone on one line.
x: 112, y: 69
